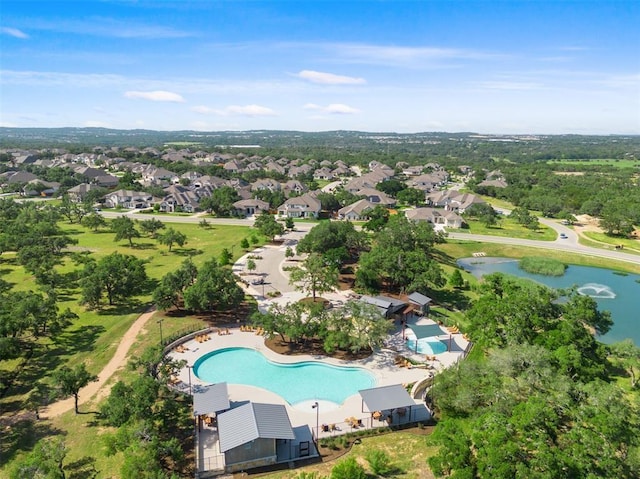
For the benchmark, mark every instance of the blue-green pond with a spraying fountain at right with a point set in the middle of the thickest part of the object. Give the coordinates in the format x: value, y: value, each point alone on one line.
x: 616, y: 292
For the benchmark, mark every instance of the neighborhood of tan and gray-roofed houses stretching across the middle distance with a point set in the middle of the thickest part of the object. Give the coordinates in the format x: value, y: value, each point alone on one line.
x: 101, y: 170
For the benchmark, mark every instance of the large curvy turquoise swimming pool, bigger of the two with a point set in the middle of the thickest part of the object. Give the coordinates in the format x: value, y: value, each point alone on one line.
x: 295, y: 383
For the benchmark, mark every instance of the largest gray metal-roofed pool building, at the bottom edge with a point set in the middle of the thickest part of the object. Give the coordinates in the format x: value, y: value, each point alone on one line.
x: 251, y: 435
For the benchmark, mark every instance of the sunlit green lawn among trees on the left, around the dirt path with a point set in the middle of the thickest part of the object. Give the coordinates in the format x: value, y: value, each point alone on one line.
x: 95, y: 336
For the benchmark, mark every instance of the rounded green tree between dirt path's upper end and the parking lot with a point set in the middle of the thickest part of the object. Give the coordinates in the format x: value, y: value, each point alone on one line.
x: 214, y: 289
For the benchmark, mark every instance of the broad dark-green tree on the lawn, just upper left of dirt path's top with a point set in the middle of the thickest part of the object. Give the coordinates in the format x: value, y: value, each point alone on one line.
x: 119, y: 276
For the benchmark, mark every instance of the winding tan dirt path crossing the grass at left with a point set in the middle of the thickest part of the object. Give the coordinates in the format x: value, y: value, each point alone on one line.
x: 119, y: 360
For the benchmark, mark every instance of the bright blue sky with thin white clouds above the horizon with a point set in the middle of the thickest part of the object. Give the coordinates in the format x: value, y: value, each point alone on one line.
x: 383, y: 66
